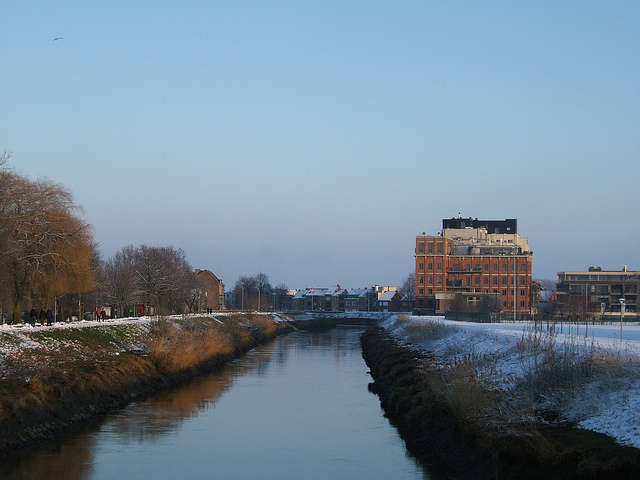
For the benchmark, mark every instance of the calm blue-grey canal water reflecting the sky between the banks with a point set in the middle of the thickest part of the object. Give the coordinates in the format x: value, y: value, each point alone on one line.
x: 295, y: 408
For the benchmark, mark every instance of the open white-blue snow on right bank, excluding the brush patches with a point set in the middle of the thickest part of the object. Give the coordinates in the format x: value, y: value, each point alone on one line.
x: 611, y: 406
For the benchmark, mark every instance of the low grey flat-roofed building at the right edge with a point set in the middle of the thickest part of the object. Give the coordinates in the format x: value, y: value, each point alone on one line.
x: 598, y: 291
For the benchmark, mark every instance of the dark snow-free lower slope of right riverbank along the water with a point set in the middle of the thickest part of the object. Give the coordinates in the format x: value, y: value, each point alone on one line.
x: 452, y: 419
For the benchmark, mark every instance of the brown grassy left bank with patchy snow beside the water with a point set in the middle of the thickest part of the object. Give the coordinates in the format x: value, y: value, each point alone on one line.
x: 55, y: 379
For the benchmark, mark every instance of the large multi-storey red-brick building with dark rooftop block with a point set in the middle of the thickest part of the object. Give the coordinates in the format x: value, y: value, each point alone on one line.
x: 481, y: 265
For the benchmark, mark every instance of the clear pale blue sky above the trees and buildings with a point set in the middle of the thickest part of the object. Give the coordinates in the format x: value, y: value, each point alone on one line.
x: 313, y: 141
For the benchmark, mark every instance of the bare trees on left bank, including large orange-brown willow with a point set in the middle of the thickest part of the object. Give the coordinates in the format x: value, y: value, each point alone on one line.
x: 48, y: 258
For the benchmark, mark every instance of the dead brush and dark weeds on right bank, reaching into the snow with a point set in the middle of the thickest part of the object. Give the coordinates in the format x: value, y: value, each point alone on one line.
x: 452, y: 415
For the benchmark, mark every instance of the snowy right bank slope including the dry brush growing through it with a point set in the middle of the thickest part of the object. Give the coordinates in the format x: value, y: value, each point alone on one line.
x: 588, y: 377
